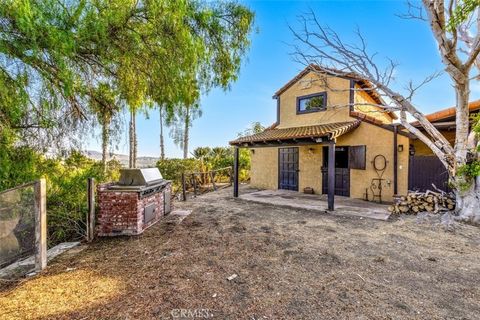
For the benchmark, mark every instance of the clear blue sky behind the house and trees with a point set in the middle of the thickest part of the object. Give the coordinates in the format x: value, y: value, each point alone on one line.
x: 268, y: 66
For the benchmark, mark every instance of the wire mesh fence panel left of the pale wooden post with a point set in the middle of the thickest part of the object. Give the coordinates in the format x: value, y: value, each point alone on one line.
x: 17, y: 224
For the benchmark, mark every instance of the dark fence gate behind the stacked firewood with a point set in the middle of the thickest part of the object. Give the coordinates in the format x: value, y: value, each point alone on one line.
x: 425, y: 170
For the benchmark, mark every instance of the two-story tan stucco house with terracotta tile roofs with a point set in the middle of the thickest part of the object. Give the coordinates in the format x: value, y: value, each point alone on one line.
x: 321, y: 109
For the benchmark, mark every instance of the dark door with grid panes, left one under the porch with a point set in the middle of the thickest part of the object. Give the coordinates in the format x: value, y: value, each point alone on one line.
x: 288, y: 168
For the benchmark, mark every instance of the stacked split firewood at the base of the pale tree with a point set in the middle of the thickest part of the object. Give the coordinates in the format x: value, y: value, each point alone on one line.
x: 429, y: 201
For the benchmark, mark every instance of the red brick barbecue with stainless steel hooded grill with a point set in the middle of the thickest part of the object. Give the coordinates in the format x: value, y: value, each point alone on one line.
x: 140, y: 199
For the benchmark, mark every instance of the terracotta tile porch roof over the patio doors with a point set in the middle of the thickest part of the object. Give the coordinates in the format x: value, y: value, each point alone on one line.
x: 330, y: 130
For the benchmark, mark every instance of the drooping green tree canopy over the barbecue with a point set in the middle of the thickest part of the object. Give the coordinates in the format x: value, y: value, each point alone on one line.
x: 58, y: 58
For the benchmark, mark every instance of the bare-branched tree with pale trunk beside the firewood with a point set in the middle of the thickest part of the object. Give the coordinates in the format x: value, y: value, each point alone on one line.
x: 455, y: 27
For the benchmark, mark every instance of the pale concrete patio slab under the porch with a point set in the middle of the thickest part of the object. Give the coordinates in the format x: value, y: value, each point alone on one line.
x: 296, y: 200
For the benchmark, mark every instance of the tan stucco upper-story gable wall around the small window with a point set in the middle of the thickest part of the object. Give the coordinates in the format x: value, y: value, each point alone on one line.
x: 337, y: 101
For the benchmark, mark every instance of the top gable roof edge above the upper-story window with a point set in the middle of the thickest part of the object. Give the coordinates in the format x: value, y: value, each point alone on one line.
x: 363, y: 83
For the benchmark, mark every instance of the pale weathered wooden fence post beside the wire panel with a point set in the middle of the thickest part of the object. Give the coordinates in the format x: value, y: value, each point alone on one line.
x: 40, y: 225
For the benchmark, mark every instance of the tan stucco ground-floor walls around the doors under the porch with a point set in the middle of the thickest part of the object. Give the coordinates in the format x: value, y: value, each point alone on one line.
x: 264, y: 168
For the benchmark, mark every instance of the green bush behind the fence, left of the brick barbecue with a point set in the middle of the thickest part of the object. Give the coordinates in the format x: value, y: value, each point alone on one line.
x: 66, y: 186
